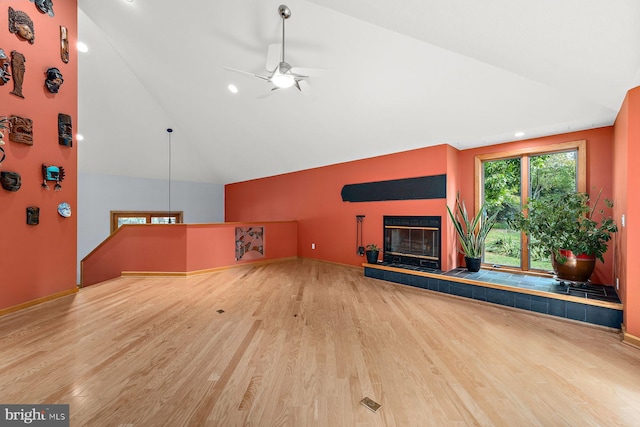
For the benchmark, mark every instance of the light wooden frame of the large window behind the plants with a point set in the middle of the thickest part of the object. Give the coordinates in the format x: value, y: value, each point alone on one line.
x: 525, y: 154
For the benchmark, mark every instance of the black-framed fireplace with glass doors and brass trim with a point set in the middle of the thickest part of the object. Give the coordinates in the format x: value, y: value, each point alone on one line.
x: 412, y: 240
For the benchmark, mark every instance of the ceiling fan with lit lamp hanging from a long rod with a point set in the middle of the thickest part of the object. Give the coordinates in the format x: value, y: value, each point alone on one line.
x: 280, y: 73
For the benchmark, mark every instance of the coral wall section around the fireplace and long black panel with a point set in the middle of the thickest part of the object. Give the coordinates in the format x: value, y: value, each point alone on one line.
x: 312, y: 198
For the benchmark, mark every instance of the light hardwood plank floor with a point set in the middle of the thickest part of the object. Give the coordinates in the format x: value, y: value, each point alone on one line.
x: 300, y: 343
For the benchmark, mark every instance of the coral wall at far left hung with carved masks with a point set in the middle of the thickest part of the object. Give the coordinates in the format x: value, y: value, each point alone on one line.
x: 39, y: 260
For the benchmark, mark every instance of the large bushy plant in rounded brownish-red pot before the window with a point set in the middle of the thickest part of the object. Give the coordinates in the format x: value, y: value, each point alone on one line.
x: 566, y: 228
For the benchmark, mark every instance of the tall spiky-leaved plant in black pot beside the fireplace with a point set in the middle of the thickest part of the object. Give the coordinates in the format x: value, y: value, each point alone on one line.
x: 472, y: 232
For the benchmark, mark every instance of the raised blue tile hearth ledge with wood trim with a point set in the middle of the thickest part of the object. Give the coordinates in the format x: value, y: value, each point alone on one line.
x: 595, y: 304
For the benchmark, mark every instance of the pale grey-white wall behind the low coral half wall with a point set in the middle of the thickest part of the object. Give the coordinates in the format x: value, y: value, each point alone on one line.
x: 98, y: 195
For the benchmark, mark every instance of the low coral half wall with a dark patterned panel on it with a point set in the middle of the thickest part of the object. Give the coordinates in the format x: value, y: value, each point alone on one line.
x: 180, y: 248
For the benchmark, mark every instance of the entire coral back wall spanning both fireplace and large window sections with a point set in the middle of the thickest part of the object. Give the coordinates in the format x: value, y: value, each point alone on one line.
x: 312, y: 197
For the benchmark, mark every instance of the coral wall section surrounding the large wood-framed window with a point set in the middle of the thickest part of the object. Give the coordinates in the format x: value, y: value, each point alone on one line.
x: 599, y: 173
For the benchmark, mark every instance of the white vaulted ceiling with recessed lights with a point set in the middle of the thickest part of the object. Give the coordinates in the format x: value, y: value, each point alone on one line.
x: 401, y: 75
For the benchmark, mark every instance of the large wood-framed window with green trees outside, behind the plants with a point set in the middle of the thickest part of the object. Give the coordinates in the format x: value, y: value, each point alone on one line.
x: 505, y: 181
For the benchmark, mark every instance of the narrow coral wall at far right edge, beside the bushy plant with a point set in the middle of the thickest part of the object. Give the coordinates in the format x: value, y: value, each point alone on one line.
x: 626, y: 183
